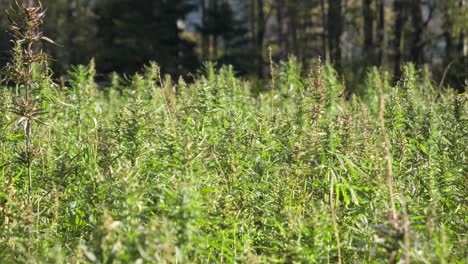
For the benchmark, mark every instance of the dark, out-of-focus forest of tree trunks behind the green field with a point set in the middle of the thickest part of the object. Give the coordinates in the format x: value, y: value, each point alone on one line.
x: 180, y: 35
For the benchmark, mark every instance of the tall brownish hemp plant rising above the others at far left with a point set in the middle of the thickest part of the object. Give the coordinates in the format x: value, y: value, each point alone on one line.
x: 27, y: 70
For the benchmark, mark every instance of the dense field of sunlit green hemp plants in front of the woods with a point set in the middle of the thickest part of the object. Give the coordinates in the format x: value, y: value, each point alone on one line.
x: 146, y: 169
